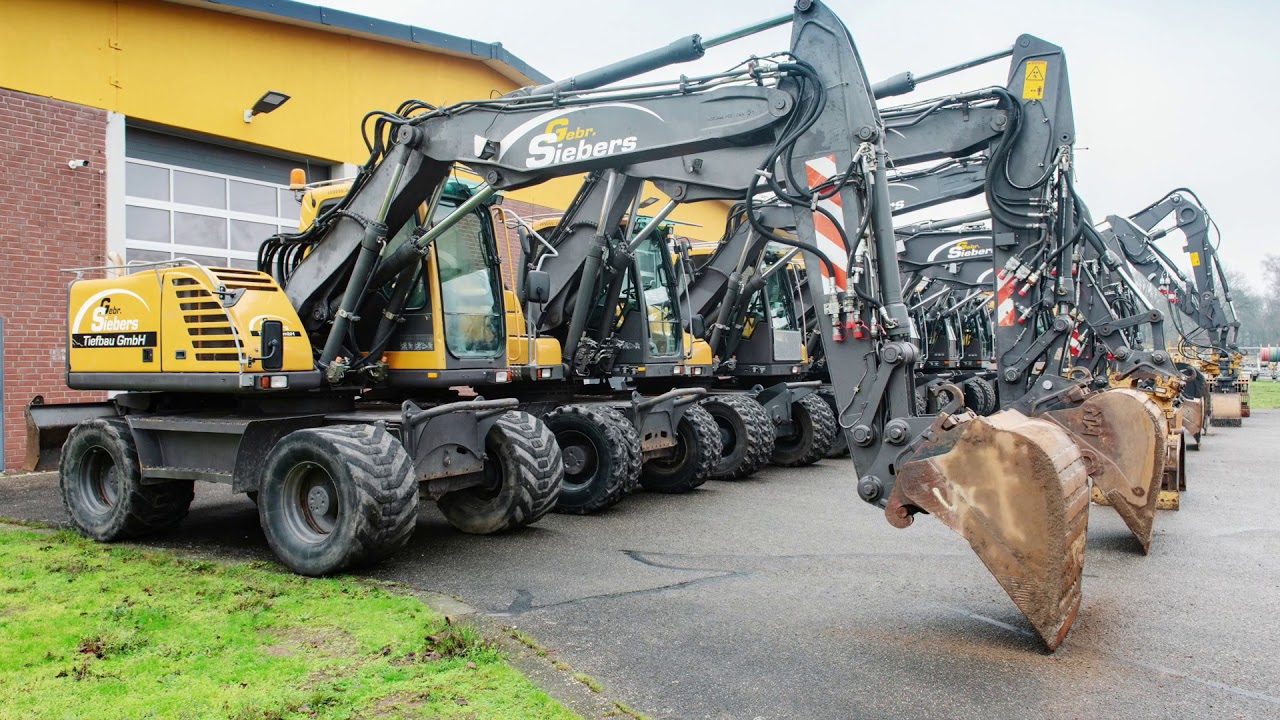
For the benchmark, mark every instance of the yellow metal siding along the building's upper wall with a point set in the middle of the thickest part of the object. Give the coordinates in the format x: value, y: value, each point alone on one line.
x: 200, y: 70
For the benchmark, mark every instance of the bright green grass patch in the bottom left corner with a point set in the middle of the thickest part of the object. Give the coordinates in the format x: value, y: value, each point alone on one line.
x: 90, y: 631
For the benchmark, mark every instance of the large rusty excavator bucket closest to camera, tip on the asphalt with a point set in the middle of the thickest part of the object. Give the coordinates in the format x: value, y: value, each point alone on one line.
x: 1017, y: 489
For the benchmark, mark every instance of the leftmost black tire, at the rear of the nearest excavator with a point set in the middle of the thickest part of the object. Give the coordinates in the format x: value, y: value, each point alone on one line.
x: 100, y: 482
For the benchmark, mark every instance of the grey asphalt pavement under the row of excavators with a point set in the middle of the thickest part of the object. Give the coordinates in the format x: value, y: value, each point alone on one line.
x: 785, y: 596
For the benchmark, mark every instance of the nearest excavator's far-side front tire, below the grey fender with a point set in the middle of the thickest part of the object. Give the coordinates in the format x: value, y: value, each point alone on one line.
x: 525, y: 468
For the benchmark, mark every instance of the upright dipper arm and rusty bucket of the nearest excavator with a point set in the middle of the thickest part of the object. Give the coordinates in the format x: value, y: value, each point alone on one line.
x: 1013, y: 486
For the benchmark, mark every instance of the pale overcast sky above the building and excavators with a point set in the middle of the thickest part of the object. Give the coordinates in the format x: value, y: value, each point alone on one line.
x: 1167, y: 94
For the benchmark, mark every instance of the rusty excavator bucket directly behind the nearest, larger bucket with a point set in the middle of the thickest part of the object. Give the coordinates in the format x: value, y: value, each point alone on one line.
x: 1123, y: 438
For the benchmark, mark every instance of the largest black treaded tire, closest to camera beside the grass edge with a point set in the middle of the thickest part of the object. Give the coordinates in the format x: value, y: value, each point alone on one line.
x: 371, y: 479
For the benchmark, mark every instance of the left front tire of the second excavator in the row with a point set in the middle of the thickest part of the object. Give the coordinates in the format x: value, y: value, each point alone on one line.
x: 602, y: 457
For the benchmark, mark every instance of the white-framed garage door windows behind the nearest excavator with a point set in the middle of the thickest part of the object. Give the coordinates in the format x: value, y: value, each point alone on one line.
x: 211, y: 218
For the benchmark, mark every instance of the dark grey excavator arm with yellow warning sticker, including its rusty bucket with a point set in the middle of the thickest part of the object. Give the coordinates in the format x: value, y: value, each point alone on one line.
x: 1040, y: 236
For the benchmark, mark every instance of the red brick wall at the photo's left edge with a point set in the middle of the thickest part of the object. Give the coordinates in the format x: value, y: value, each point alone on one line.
x: 52, y: 217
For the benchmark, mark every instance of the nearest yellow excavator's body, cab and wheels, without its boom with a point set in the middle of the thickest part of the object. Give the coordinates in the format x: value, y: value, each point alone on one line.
x: 223, y: 386
